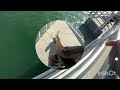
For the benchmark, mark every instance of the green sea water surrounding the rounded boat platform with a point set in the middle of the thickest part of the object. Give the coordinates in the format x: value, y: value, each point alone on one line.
x: 18, y: 30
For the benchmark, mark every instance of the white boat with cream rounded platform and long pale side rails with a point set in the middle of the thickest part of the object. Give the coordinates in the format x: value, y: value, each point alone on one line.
x: 96, y: 54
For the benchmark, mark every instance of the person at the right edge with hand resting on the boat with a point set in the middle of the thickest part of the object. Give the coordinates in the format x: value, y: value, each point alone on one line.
x: 114, y: 56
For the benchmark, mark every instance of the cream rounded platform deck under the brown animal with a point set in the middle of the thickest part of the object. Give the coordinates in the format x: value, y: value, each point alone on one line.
x: 45, y: 45
